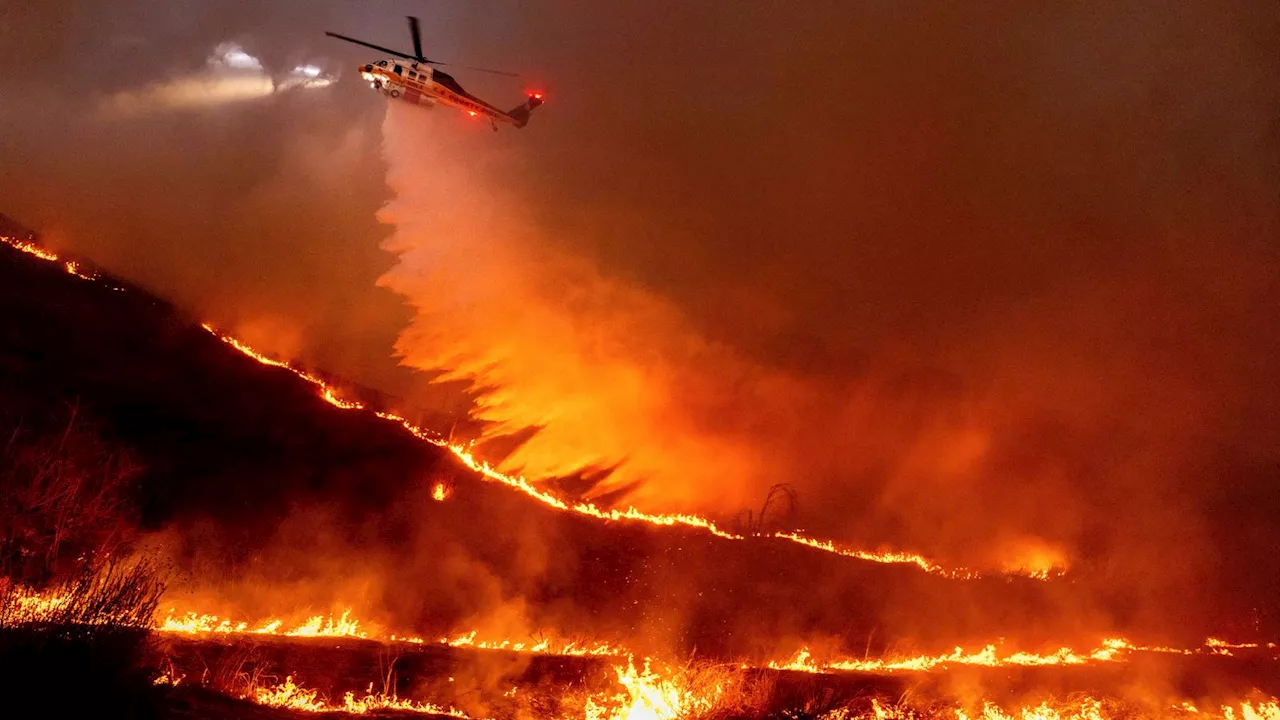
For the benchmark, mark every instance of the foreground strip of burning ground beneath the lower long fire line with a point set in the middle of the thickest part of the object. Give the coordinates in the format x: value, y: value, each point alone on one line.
x: 316, y: 676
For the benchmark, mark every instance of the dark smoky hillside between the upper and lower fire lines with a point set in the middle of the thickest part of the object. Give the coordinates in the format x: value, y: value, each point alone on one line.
x: 248, y: 471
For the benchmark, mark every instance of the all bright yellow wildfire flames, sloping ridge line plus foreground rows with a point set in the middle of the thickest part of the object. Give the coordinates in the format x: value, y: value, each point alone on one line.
x: 641, y: 694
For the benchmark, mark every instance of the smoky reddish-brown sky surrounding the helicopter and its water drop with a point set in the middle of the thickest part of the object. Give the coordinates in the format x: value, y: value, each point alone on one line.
x: 1044, y: 235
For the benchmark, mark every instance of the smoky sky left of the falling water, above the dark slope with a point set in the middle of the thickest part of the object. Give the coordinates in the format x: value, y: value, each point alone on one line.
x: 213, y: 154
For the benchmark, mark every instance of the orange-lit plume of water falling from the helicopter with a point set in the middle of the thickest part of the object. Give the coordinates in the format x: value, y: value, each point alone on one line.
x: 611, y: 375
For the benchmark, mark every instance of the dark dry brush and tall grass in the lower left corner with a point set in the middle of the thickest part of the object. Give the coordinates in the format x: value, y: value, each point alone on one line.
x: 75, y: 616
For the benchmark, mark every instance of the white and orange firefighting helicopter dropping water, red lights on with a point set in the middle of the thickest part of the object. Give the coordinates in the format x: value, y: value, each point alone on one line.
x: 414, y: 80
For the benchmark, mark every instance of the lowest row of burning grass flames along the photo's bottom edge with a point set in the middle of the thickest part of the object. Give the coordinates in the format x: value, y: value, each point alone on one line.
x: 647, y: 690
